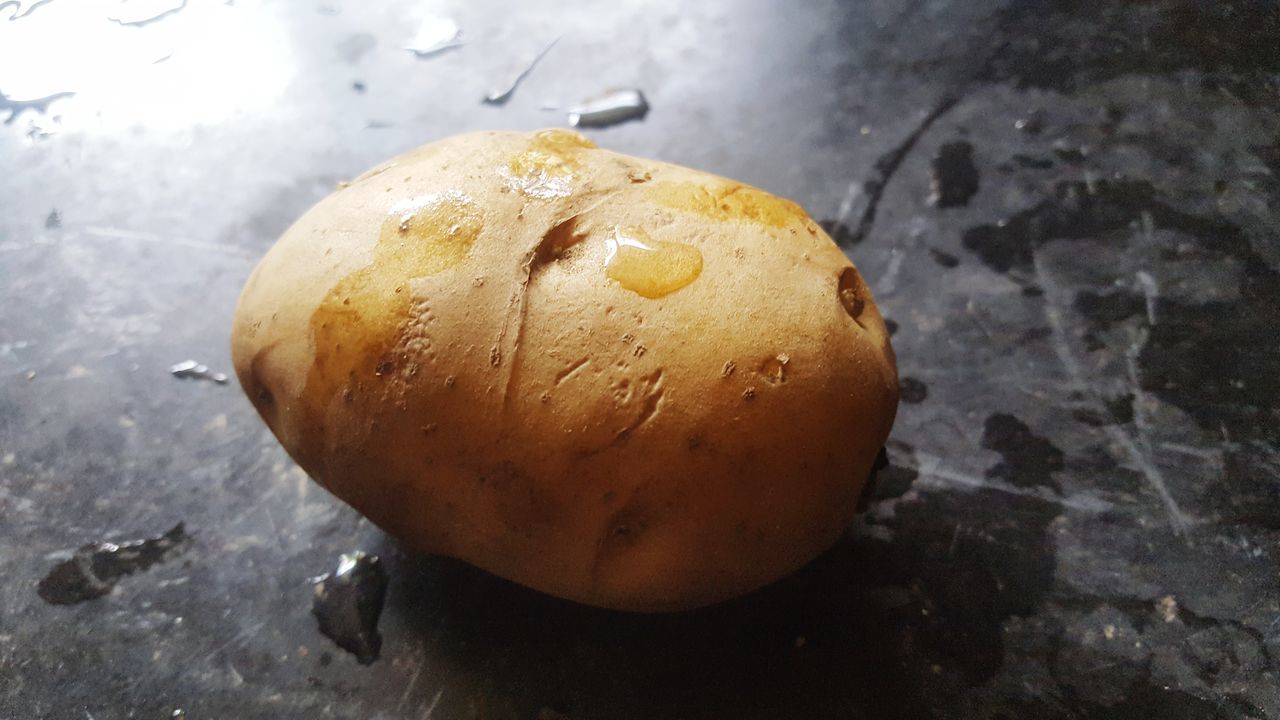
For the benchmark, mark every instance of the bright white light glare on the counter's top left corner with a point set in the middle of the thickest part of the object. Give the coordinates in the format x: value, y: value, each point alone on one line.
x: 200, y: 65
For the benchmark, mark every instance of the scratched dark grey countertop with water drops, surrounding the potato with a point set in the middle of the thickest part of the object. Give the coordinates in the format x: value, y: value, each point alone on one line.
x: 1067, y: 209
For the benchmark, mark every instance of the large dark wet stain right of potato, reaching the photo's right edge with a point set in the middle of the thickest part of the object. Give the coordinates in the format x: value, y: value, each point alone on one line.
x: 1217, y: 361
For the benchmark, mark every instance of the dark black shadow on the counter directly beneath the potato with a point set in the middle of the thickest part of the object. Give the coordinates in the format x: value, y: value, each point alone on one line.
x: 884, y: 628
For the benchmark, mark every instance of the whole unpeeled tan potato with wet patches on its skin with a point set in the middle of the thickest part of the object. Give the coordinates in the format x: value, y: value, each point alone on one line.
x: 612, y: 380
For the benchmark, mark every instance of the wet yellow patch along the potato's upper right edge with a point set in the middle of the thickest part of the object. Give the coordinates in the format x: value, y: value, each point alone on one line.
x: 729, y: 202
